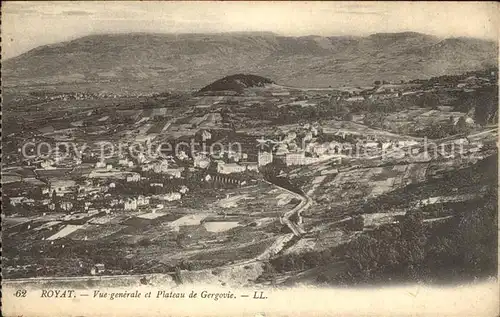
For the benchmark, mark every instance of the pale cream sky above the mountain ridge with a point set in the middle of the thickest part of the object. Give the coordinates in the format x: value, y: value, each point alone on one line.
x: 26, y: 25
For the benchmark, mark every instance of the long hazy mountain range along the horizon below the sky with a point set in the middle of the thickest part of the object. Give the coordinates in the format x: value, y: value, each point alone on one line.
x: 190, y: 61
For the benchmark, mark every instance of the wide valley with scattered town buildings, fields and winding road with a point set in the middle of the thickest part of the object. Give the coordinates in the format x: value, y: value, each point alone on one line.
x: 232, y: 175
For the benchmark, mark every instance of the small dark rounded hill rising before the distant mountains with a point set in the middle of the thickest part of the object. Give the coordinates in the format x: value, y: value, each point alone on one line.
x: 237, y: 83
